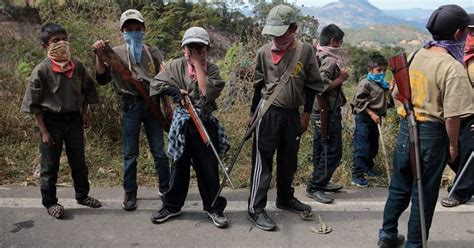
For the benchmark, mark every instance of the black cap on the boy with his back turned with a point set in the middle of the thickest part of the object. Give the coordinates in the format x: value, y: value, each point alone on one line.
x: 445, y: 20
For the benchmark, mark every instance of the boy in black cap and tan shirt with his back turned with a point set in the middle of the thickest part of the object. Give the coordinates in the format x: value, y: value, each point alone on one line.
x: 440, y: 93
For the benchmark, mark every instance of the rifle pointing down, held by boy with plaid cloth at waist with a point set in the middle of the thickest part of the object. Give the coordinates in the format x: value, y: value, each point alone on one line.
x: 204, y: 134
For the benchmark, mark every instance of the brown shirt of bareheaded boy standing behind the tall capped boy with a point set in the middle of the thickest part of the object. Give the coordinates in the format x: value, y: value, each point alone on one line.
x: 329, y: 71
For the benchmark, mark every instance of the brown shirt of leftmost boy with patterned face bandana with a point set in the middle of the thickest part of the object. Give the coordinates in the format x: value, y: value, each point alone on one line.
x: 51, y: 91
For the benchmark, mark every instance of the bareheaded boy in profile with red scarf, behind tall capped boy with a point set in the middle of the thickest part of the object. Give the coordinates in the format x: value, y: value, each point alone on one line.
x: 327, y: 151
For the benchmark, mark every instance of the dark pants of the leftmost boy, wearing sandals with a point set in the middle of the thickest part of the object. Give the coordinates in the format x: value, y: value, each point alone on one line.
x: 64, y: 129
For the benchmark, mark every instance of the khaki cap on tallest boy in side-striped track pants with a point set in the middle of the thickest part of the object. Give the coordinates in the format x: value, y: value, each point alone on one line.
x: 278, y: 20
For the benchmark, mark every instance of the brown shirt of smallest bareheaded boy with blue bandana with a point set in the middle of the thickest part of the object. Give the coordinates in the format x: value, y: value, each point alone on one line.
x: 370, y: 95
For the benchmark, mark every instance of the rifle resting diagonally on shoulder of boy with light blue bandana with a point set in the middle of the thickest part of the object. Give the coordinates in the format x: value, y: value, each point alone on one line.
x: 108, y: 55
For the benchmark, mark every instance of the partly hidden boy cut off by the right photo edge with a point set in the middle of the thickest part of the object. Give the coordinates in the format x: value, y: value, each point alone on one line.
x: 462, y: 193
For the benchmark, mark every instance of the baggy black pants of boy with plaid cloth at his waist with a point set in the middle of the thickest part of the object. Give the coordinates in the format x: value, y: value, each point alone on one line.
x: 205, y: 165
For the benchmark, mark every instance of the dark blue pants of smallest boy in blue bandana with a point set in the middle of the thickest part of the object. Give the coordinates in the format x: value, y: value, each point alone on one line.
x: 366, y: 144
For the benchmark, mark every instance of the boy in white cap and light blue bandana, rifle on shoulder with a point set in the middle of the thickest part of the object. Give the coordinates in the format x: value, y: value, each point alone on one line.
x: 144, y: 62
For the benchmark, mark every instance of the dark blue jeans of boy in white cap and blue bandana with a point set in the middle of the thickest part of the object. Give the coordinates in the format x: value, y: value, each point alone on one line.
x: 136, y: 112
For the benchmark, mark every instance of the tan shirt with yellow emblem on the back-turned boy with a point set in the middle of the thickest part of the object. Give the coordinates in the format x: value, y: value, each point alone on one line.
x: 439, y: 86
